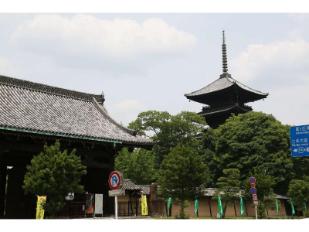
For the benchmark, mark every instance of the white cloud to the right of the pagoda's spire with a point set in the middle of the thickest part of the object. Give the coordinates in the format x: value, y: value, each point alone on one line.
x: 279, y: 61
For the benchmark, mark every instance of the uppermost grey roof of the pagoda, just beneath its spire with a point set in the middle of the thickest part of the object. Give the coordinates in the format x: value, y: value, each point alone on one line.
x: 224, y: 83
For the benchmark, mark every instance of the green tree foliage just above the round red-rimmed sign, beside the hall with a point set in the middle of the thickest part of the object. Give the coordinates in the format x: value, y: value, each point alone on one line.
x: 139, y: 165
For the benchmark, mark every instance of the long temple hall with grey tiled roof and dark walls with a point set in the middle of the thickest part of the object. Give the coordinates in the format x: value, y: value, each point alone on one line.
x: 32, y: 115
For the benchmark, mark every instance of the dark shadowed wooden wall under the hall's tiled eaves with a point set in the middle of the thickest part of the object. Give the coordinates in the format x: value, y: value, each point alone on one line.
x: 16, y: 152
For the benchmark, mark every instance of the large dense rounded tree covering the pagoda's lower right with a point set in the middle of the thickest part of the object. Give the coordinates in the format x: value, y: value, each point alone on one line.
x: 251, y: 140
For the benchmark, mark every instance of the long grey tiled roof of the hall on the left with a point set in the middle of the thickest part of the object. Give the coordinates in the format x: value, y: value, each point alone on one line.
x: 29, y: 107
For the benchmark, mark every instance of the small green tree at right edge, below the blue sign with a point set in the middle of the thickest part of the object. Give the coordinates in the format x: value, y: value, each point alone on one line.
x: 299, y: 192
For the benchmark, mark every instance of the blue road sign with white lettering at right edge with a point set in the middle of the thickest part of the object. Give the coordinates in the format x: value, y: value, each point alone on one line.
x: 299, y: 136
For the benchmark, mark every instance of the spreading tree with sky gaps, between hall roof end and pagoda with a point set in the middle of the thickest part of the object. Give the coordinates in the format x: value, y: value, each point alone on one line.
x: 168, y: 130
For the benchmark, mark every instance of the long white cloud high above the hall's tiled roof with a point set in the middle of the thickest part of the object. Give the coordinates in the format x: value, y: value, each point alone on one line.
x: 88, y: 36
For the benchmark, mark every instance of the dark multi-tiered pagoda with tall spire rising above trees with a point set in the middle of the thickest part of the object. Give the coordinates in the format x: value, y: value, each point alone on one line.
x: 224, y: 96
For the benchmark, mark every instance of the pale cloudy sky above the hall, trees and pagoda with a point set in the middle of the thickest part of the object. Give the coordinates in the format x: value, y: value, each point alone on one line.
x: 149, y: 61
